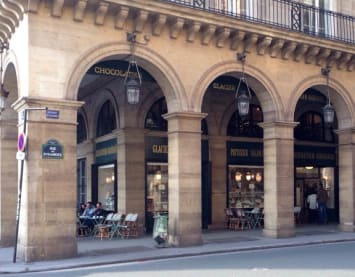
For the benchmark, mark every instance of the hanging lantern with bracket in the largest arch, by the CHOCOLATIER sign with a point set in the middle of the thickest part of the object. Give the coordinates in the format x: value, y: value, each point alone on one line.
x: 131, y: 84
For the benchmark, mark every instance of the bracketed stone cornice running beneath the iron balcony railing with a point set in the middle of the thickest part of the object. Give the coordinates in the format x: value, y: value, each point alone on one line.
x: 226, y: 31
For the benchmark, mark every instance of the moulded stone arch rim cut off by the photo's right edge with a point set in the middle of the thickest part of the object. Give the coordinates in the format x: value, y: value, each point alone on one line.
x: 340, y: 98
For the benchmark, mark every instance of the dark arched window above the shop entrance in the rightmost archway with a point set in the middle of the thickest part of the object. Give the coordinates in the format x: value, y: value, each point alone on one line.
x: 312, y: 128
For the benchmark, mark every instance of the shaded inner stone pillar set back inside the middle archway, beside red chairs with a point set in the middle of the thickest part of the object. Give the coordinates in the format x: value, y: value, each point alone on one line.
x: 218, y: 152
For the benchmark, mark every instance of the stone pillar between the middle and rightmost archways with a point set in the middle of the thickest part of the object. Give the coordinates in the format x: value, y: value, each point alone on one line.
x: 279, y: 179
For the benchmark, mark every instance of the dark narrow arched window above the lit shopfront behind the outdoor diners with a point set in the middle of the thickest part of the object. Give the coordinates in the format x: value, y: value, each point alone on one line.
x: 106, y: 122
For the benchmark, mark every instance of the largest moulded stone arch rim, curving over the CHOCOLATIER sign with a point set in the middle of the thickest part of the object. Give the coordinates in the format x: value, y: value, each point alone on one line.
x: 155, y: 64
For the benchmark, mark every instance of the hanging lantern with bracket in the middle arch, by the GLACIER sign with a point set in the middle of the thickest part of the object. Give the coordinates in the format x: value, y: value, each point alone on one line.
x: 243, y: 95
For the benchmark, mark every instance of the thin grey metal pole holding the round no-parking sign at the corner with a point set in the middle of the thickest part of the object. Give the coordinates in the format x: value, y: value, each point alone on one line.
x: 21, y: 179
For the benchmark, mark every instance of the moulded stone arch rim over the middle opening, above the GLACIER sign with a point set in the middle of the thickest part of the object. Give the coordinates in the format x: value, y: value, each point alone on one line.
x: 263, y: 87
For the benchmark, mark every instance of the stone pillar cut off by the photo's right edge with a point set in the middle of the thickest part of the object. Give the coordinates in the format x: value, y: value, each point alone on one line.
x: 347, y: 179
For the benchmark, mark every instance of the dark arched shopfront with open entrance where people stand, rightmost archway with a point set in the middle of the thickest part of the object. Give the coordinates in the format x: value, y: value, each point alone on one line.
x: 316, y: 158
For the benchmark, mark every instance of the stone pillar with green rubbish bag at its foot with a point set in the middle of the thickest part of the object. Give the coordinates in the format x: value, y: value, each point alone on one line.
x: 184, y: 137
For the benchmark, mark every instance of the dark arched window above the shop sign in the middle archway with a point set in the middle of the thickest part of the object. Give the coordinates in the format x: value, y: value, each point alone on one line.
x: 246, y: 126
